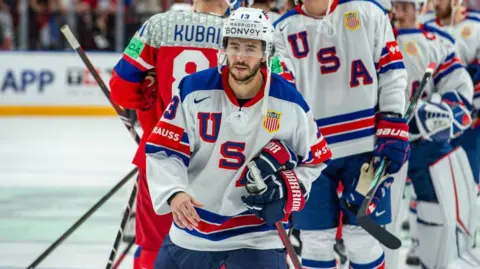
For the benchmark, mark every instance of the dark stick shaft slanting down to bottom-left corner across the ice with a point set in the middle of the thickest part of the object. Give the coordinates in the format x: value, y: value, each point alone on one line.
x: 79, y: 222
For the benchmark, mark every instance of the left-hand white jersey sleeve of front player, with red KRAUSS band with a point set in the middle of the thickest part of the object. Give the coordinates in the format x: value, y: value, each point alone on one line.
x: 168, y: 152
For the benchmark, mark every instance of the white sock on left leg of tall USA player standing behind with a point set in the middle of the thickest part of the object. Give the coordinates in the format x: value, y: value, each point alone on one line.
x: 318, y: 245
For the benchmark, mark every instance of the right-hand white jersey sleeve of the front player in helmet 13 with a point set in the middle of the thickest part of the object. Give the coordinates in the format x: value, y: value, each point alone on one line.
x: 309, y: 143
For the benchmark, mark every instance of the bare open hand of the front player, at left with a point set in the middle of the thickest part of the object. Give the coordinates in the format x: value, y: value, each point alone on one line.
x: 183, y: 210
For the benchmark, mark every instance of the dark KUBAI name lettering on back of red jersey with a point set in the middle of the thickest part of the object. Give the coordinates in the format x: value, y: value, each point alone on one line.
x: 199, y: 33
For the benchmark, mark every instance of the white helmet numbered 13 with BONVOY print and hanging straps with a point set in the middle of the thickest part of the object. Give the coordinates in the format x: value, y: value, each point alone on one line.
x: 250, y: 23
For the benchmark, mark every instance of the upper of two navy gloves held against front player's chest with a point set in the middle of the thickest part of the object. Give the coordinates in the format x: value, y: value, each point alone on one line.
x: 275, y: 156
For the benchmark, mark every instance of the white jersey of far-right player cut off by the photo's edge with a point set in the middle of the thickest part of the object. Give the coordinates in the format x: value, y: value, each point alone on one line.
x: 467, y: 44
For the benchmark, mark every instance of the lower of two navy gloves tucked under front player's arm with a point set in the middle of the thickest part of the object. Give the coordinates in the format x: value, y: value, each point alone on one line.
x: 284, y: 194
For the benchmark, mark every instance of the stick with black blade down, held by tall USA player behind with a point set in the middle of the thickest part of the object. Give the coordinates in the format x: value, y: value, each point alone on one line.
x: 362, y: 218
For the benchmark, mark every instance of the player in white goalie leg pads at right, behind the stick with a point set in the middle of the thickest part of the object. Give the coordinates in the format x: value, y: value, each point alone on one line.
x: 444, y: 114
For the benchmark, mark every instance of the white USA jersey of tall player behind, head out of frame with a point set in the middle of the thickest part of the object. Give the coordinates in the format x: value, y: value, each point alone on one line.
x: 348, y: 77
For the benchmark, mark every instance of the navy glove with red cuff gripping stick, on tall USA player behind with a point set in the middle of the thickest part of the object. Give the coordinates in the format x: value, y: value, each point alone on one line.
x: 392, y: 143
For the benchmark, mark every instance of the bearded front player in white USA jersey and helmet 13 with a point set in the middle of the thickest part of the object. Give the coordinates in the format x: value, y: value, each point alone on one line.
x: 197, y: 155
